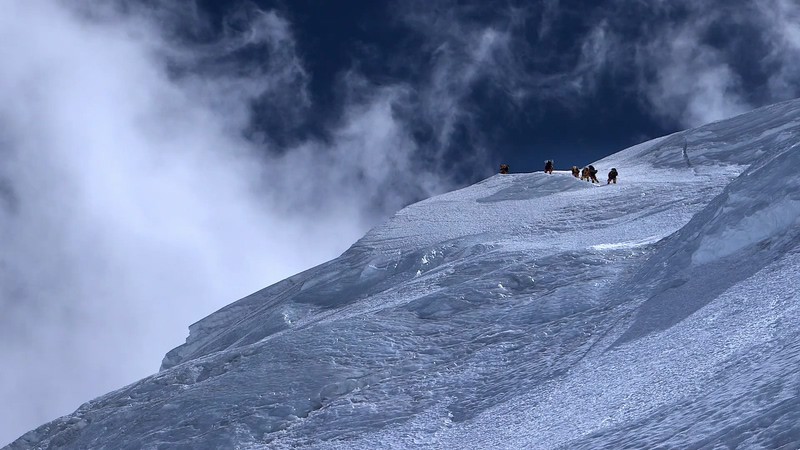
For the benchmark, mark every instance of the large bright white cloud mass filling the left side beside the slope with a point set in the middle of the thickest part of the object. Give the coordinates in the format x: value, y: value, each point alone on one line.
x: 134, y: 197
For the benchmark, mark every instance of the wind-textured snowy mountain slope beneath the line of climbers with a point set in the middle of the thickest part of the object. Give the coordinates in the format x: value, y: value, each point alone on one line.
x: 526, y: 311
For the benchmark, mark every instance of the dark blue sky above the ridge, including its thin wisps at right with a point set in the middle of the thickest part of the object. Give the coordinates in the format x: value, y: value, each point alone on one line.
x: 568, y: 80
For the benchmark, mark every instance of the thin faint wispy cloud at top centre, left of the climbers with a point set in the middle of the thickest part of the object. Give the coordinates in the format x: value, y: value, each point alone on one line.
x: 462, y: 54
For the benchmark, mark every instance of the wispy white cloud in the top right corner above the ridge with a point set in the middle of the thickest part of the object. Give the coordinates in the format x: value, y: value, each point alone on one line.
x: 685, y: 56
